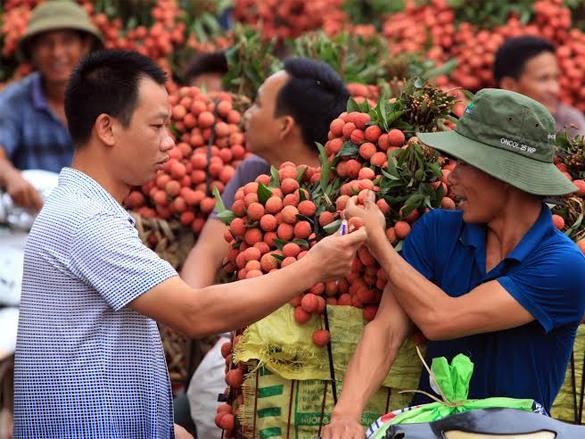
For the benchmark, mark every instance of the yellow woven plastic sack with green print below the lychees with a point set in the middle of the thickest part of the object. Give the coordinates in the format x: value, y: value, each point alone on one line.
x: 289, y: 394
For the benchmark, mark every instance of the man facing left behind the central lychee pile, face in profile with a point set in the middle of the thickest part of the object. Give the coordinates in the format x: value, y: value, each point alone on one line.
x: 292, y: 110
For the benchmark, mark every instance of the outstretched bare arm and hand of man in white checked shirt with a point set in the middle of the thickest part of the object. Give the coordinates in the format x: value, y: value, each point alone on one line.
x: 218, y: 308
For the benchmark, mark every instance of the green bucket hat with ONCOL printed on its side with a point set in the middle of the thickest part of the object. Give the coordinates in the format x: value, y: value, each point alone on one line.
x: 508, y: 136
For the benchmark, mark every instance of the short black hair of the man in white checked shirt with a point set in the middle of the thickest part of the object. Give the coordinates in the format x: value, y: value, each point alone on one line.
x: 106, y: 82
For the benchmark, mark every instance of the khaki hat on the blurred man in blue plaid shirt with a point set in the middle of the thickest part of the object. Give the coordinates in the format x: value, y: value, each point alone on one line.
x: 55, y: 15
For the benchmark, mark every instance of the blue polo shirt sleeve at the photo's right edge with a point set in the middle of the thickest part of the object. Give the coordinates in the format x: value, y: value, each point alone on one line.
x: 551, y: 287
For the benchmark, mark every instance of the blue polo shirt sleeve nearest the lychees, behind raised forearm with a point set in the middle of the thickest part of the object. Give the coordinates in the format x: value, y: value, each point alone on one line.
x: 417, y: 248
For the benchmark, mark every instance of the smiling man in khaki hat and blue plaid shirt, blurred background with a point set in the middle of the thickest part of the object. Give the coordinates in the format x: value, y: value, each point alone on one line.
x: 33, y: 130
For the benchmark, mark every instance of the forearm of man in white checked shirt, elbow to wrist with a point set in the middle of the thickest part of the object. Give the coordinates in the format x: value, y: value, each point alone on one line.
x: 229, y: 306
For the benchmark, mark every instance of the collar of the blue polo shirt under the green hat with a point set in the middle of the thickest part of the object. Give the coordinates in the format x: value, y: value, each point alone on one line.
x: 473, y: 235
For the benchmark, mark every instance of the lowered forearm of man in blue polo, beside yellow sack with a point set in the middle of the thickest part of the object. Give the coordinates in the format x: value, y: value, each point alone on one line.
x: 366, y: 371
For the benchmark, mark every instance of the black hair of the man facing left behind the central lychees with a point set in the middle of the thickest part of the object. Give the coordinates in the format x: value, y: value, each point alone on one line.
x: 314, y: 95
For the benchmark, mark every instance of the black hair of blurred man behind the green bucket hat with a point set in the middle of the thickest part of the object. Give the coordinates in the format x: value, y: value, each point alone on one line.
x: 512, y: 56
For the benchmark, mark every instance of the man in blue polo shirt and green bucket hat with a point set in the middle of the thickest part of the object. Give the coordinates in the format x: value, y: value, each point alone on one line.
x: 494, y: 280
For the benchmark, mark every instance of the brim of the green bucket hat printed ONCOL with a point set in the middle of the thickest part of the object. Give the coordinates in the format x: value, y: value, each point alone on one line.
x: 524, y: 173
